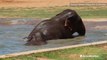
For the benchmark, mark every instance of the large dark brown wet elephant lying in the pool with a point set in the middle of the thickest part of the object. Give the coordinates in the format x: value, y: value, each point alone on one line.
x: 61, y: 26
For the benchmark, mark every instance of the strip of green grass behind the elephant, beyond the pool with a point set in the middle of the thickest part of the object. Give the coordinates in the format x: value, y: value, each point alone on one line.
x: 84, y: 12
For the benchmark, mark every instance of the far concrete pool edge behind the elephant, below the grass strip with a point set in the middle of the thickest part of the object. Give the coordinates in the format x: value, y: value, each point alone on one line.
x: 14, y: 21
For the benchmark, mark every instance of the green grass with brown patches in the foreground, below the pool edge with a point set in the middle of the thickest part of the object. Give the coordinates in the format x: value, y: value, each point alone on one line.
x: 67, y: 54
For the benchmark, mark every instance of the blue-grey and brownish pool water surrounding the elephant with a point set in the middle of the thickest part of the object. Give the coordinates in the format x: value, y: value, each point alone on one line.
x: 11, y: 35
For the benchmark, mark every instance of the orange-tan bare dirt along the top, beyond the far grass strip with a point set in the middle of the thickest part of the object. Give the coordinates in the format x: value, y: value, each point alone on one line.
x: 43, y: 3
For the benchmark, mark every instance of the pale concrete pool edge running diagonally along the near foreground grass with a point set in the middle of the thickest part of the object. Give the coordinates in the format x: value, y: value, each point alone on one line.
x: 50, y: 49
